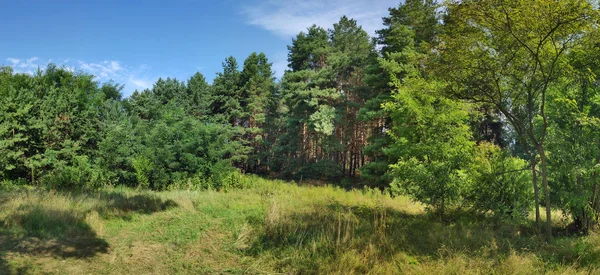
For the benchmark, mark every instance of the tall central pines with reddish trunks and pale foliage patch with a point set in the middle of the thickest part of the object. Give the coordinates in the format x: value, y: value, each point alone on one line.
x: 319, y: 99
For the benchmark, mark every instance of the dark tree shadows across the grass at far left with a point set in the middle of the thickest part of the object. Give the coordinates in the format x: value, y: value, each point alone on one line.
x: 43, y: 230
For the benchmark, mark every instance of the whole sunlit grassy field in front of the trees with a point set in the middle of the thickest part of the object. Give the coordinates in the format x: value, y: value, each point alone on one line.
x: 269, y: 227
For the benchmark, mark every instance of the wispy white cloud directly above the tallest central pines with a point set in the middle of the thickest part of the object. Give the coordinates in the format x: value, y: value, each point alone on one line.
x: 287, y: 18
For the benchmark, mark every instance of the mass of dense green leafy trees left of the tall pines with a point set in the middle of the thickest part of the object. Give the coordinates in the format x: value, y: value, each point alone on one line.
x: 64, y: 130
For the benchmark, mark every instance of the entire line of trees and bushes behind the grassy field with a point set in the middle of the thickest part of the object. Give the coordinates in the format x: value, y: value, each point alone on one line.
x: 487, y: 105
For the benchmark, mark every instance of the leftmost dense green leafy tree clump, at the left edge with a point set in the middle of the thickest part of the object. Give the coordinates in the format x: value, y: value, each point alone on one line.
x: 50, y: 121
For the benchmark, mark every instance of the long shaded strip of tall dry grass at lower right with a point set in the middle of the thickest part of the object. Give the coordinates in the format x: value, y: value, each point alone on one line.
x: 329, y: 231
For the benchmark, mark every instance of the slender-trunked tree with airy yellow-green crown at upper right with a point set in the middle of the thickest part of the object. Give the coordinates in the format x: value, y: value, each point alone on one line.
x: 508, y: 53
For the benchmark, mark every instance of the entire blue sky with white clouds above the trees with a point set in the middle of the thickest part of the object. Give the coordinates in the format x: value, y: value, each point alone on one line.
x: 134, y: 42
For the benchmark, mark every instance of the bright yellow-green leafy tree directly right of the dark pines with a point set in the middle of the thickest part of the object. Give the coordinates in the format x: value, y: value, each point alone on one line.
x: 433, y: 143
